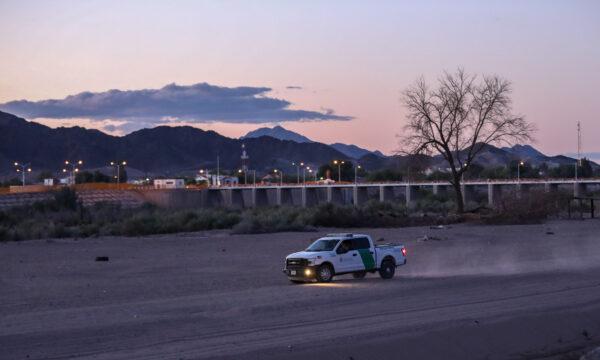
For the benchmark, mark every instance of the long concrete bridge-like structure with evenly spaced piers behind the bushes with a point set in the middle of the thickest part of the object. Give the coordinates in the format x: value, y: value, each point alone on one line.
x: 248, y: 197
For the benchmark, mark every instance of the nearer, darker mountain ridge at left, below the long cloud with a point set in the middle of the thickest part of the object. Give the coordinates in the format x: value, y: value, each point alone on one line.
x: 160, y: 150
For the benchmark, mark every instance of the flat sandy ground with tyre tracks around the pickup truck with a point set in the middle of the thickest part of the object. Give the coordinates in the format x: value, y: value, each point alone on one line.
x: 468, y: 292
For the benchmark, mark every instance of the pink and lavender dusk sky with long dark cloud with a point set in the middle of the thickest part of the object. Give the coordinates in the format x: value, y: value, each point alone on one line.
x: 333, y: 71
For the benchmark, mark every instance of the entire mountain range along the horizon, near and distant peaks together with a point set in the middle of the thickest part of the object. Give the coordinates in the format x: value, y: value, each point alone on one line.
x: 184, y: 150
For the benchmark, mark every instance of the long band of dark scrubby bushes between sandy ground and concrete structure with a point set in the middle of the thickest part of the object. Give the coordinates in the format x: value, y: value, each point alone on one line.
x: 65, y: 216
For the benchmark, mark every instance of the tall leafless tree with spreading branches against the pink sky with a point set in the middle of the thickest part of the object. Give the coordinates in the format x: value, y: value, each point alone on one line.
x: 458, y: 118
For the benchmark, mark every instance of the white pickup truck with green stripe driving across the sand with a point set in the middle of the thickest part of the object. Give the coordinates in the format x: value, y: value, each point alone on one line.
x: 337, y: 254
